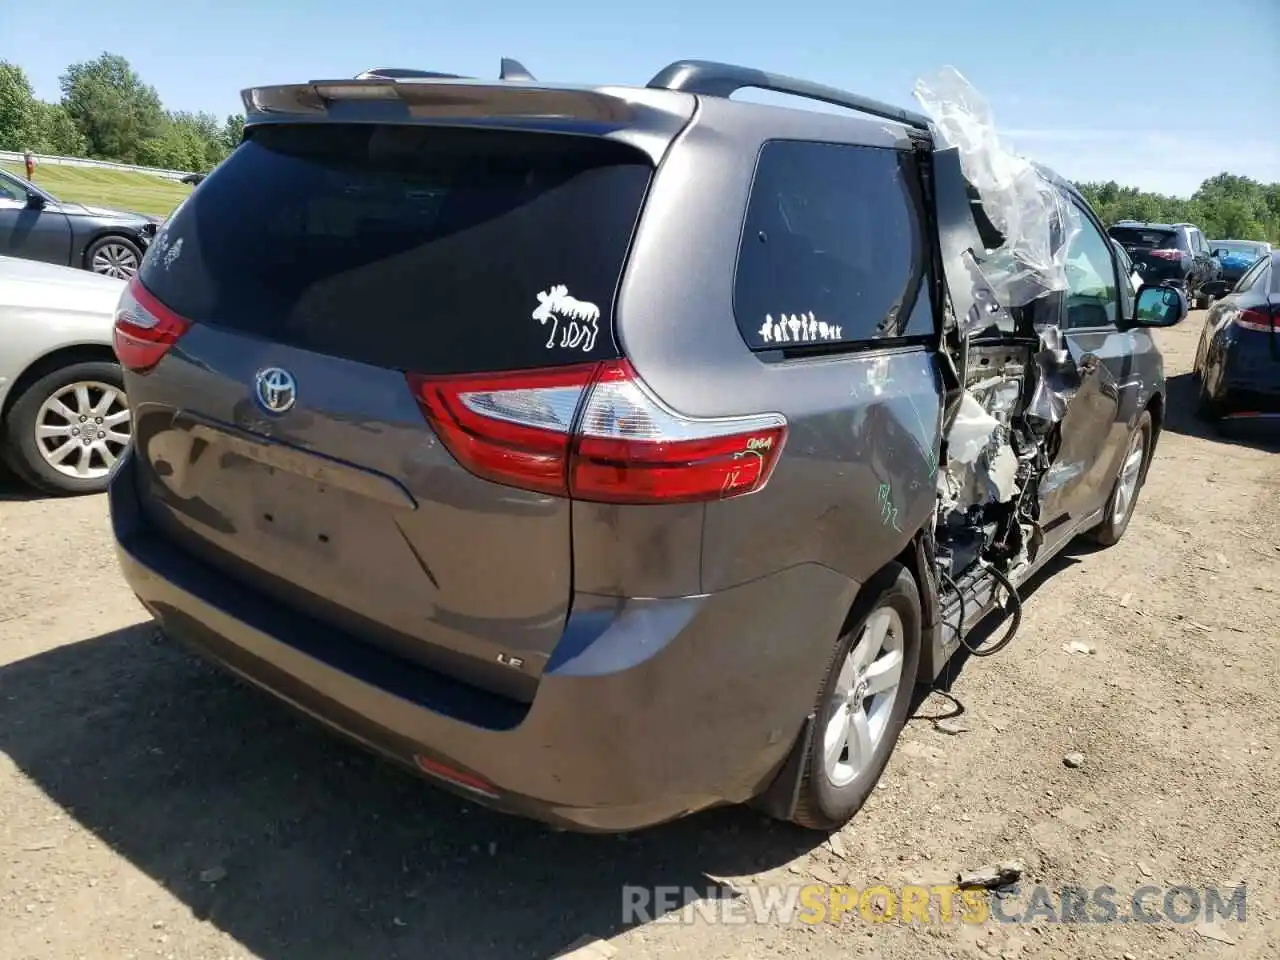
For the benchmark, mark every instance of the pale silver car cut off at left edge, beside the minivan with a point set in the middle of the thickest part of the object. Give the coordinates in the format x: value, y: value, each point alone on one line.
x: 63, y: 414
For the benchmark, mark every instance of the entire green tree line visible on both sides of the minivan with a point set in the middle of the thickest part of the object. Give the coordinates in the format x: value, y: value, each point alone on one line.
x: 108, y: 113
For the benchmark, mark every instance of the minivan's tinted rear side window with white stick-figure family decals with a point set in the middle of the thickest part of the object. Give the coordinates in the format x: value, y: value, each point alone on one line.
x: 833, y: 249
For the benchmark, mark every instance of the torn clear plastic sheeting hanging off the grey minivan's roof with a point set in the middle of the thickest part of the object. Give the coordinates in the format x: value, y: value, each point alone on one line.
x: 1035, y: 220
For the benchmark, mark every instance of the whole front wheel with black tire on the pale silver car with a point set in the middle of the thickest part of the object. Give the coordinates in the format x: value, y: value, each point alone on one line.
x: 33, y: 458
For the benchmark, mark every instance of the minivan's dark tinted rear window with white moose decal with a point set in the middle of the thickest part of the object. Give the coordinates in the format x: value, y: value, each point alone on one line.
x: 415, y: 248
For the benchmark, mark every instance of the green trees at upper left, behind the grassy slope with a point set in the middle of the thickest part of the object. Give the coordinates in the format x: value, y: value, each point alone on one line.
x: 108, y: 113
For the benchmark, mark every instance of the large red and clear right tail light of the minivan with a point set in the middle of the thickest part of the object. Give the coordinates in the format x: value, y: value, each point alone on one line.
x: 596, y: 433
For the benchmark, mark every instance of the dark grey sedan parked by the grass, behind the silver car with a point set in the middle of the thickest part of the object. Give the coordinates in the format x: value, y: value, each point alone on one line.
x: 36, y: 226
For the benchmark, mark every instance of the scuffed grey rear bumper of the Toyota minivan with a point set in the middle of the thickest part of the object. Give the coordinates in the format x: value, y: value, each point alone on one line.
x: 650, y: 710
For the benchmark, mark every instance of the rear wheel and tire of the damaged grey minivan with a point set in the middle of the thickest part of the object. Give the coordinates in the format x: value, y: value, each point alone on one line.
x: 828, y: 799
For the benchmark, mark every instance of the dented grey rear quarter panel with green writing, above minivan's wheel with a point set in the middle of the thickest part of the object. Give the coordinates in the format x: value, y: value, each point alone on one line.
x: 856, y: 481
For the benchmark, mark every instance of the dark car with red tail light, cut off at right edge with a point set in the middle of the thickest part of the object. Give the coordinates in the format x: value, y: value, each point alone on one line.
x: 1238, y: 358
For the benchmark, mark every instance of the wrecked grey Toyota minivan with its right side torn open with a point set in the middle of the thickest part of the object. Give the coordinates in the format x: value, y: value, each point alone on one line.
x: 606, y: 455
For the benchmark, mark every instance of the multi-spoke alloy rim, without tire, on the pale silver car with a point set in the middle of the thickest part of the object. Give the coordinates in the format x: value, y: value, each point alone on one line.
x: 84, y: 429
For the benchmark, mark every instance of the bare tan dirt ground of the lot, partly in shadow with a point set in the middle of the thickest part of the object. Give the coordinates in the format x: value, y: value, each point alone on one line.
x: 149, y: 807
